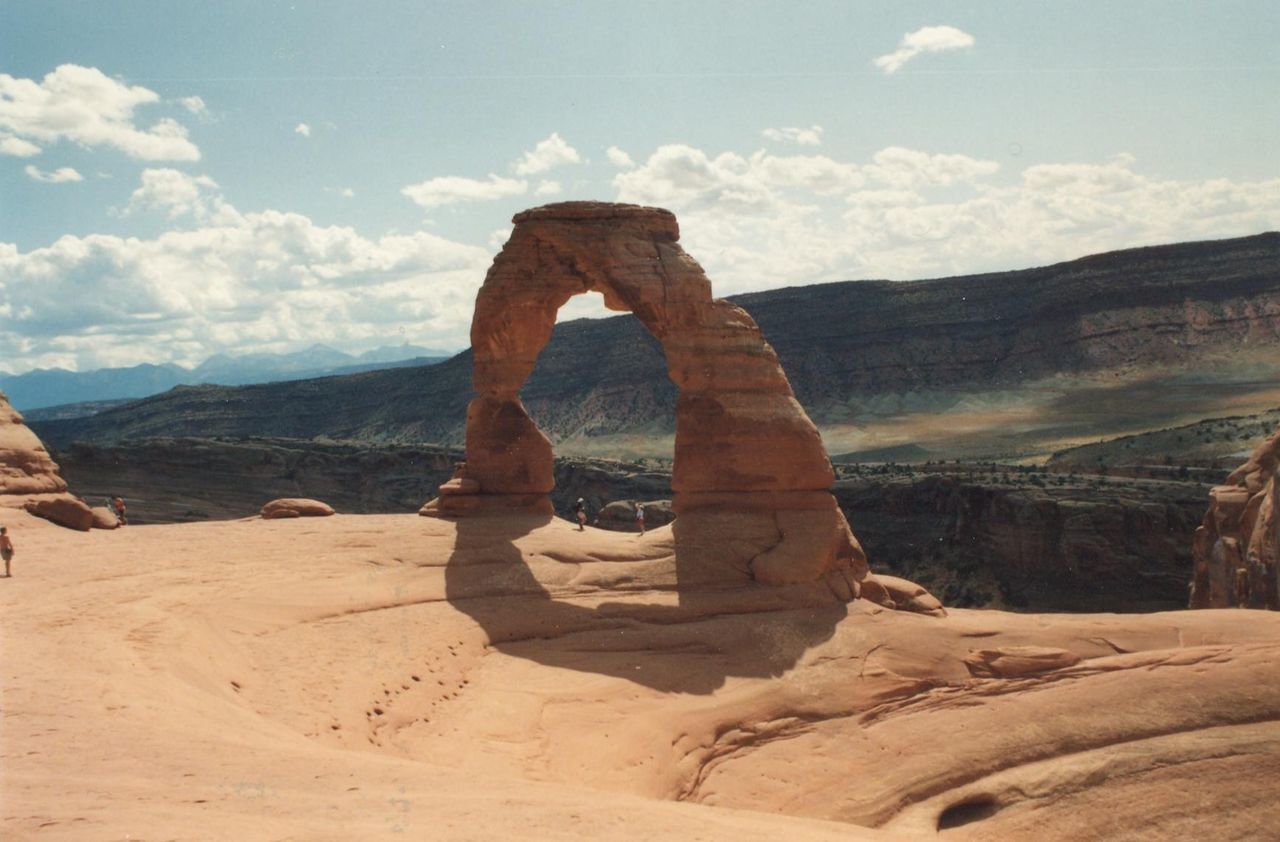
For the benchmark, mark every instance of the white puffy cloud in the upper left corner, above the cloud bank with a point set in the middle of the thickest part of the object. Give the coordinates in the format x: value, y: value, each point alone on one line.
x: 86, y: 107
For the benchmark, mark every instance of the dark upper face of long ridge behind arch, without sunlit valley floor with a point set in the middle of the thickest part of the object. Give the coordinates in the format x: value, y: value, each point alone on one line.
x: 847, y: 347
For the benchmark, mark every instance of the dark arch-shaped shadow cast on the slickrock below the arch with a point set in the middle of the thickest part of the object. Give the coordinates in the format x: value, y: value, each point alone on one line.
x: 723, y: 625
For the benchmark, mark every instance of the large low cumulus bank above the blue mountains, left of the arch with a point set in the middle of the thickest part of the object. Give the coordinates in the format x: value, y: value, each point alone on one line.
x: 268, y: 281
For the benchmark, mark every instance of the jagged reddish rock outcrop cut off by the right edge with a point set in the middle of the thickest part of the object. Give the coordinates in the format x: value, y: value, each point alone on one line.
x: 1237, y: 548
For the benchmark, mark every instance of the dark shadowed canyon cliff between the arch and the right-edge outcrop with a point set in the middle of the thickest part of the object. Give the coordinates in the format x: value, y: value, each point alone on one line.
x: 1030, y: 542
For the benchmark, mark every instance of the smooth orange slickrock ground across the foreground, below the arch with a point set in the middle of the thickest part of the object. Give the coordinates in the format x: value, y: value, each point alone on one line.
x: 380, y: 676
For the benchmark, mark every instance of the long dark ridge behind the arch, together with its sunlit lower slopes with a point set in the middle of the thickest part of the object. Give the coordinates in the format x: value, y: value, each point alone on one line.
x: 1005, y: 365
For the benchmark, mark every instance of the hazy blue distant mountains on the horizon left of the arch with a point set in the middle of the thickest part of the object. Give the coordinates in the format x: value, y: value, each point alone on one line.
x: 58, y: 387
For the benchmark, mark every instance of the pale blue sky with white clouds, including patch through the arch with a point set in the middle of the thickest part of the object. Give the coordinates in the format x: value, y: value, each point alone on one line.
x: 180, y: 180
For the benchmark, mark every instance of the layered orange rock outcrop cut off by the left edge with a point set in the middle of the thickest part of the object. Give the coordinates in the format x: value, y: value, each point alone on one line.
x: 29, y: 475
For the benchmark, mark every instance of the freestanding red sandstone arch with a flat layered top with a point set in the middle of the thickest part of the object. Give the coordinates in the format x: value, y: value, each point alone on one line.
x: 744, y: 446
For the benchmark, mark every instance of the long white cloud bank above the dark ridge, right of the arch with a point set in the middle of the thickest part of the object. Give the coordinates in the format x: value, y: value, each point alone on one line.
x: 760, y: 221
